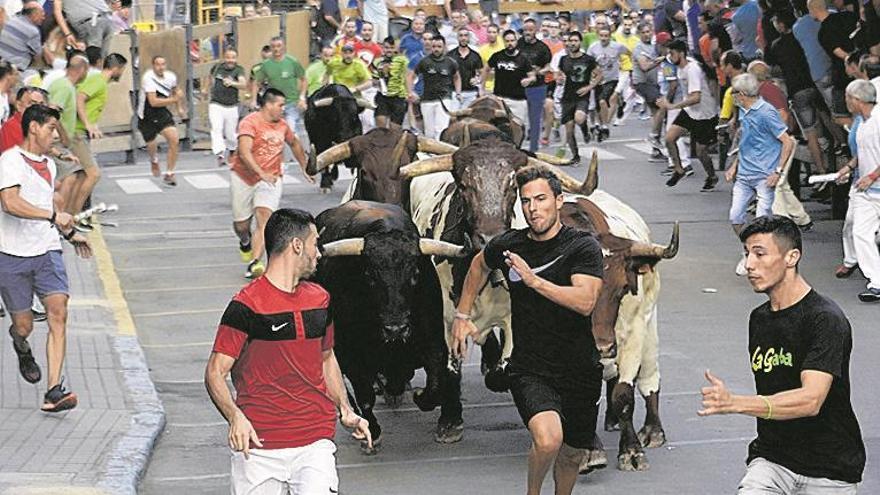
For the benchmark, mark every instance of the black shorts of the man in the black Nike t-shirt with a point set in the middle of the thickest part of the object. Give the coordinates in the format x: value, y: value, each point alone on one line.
x: 577, y: 406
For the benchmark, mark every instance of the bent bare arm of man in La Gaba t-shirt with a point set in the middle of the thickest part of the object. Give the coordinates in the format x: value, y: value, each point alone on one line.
x: 803, y: 402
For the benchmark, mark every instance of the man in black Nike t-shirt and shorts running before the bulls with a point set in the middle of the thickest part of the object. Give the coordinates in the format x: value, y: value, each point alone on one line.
x: 554, y: 274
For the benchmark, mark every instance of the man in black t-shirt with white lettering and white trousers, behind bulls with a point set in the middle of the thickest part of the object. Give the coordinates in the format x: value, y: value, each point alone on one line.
x: 513, y: 72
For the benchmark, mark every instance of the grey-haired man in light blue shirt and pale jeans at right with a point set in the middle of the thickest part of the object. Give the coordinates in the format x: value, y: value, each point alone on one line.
x: 764, y: 148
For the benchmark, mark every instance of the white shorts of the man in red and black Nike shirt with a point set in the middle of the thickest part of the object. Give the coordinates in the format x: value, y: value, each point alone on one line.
x: 309, y: 470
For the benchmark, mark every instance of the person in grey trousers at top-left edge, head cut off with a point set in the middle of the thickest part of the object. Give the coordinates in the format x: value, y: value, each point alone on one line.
x: 87, y: 21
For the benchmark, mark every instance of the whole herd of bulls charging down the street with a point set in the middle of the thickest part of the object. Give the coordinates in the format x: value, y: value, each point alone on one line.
x: 396, y: 251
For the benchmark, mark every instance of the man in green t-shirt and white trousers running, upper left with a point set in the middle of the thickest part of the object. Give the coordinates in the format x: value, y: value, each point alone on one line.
x: 284, y: 73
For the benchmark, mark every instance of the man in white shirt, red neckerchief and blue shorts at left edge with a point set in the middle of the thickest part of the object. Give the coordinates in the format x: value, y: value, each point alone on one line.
x: 30, y: 251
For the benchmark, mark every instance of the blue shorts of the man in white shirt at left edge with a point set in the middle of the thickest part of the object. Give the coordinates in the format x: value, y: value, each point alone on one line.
x: 22, y: 277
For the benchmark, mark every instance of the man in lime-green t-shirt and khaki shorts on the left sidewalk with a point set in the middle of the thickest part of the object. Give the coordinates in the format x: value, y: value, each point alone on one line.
x: 91, y: 99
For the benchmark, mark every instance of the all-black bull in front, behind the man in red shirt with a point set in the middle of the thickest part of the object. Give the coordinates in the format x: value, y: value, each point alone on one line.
x: 387, y: 309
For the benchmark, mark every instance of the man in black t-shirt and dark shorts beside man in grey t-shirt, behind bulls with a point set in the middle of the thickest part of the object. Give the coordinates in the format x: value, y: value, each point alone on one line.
x: 579, y: 73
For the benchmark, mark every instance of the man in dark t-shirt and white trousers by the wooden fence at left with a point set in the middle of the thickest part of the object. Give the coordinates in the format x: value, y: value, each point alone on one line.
x: 228, y: 77
